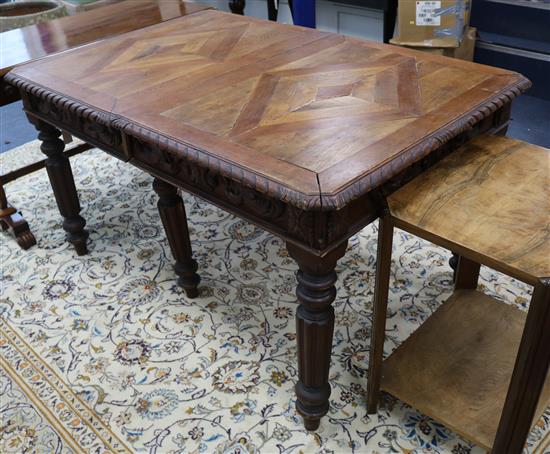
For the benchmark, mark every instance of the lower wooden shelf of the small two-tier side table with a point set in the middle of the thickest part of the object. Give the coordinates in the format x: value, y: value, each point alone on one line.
x: 456, y: 367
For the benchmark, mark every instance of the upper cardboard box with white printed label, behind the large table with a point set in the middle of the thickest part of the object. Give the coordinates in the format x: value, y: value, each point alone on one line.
x: 439, y: 23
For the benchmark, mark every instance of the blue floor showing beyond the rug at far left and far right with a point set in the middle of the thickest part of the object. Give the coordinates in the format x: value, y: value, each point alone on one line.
x: 530, y: 122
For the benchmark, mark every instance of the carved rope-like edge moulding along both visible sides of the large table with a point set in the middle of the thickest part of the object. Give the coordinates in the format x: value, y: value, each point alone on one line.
x: 261, y: 183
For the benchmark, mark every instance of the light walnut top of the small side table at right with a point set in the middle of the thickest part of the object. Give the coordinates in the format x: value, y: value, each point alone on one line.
x: 492, y: 198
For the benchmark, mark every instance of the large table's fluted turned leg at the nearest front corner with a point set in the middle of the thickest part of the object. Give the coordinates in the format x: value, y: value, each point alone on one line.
x: 314, y: 327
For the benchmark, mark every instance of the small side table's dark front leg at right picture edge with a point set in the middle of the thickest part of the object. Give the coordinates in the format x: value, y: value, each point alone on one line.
x: 530, y: 371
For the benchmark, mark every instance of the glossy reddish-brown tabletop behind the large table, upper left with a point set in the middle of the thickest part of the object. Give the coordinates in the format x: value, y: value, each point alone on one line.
x: 35, y: 41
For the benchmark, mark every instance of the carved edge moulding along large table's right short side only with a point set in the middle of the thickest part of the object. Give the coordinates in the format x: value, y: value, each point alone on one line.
x: 420, y: 150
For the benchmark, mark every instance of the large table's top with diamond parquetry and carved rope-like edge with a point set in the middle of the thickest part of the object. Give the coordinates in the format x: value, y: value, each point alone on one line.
x: 311, y: 118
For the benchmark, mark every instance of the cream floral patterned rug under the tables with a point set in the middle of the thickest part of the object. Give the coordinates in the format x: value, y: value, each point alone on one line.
x: 104, y: 353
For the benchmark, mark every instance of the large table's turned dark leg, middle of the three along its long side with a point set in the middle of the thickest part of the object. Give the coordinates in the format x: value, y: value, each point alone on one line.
x: 174, y: 219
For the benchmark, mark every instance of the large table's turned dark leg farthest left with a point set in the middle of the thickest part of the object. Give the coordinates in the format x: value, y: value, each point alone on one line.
x: 62, y: 182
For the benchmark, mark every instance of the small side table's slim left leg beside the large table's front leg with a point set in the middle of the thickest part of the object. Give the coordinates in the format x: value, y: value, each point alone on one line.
x: 383, y: 264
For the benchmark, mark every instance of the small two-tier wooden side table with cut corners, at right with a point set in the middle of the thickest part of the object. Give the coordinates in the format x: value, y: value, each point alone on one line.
x: 477, y: 365
